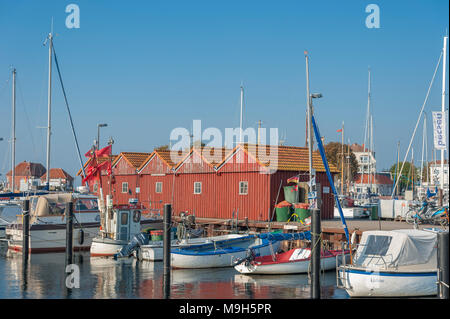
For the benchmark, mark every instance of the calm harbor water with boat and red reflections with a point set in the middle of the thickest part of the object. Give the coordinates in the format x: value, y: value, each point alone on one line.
x: 128, y: 278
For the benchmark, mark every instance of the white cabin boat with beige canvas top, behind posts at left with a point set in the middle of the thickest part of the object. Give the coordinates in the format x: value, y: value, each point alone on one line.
x: 48, y: 223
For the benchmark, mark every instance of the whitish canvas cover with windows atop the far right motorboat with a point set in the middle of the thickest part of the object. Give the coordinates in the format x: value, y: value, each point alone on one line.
x: 391, y: 249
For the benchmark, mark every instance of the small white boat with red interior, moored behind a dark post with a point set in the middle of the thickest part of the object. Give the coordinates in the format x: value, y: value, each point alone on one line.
x: 294, y: 261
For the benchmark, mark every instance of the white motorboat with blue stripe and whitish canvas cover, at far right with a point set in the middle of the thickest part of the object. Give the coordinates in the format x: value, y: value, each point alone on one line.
x: 397, y: 263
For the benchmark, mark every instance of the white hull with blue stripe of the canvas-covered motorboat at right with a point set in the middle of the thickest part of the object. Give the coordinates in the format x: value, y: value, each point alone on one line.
x: 367, y: 283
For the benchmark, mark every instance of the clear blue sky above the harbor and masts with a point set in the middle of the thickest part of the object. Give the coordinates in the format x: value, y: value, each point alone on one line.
x: 147, y: 67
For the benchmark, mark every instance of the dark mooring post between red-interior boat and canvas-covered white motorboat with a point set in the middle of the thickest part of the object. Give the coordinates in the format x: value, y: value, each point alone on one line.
x: 315, y: 254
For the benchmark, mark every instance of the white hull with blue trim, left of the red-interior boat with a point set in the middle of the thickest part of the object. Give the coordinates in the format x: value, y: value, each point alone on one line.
x: 217, y: 258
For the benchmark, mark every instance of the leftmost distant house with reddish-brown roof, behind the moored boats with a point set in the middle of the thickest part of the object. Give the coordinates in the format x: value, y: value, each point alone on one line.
x: 27, y: 176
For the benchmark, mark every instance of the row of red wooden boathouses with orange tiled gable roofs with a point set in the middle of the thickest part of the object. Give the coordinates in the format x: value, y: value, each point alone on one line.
x: 214, y: 183
